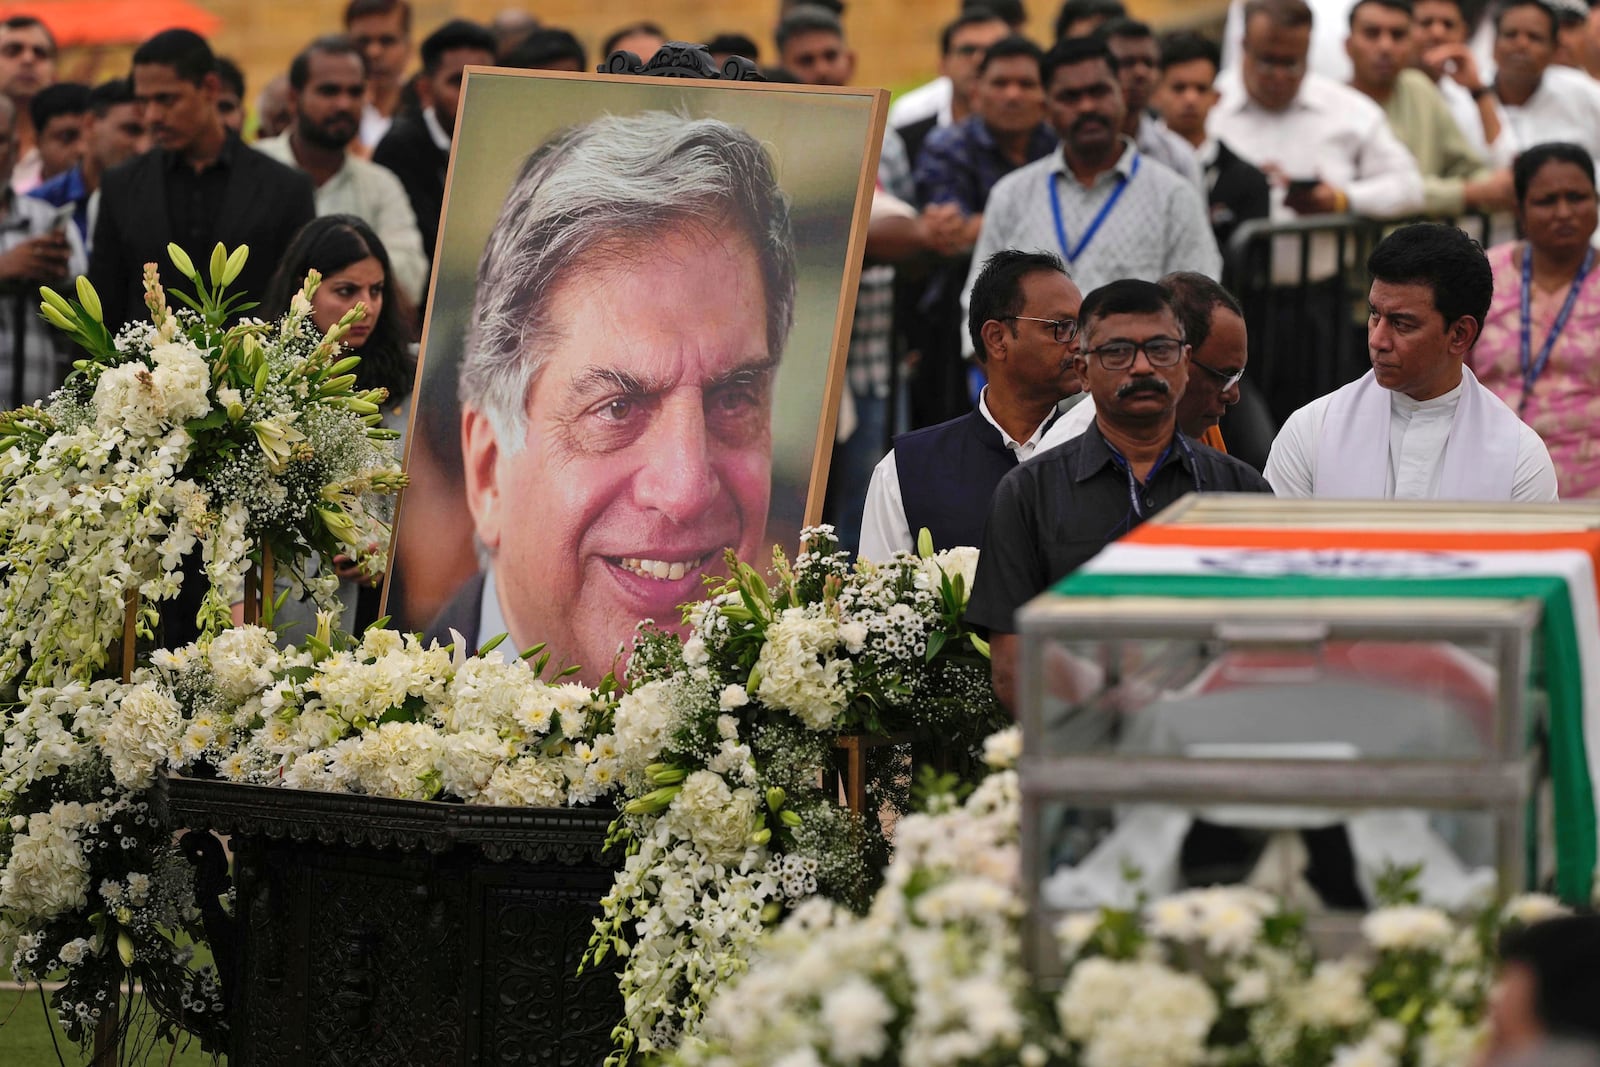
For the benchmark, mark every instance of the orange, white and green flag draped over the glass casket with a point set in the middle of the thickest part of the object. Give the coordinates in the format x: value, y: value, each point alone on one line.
x: 1559, y: 569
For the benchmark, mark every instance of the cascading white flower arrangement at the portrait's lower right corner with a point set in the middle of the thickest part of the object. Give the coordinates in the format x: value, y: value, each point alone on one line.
x: 724, y: 743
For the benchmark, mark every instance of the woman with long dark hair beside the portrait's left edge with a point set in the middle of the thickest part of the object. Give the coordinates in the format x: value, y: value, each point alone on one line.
x: 354, y: 270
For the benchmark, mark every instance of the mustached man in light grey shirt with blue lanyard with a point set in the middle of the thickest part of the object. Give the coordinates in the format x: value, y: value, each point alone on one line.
x: 1100, y: 204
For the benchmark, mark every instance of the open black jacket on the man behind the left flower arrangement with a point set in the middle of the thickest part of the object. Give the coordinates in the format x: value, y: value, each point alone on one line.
x: 263, y: 206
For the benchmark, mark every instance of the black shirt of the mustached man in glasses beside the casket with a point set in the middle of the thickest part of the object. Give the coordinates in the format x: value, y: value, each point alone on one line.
x: 1063, y: 506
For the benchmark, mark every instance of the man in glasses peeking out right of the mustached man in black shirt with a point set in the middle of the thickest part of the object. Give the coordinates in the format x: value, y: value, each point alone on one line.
x: 1214, y: 326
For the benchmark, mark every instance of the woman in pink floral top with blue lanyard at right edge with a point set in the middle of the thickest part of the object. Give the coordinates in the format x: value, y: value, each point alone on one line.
x: 1540, y: 350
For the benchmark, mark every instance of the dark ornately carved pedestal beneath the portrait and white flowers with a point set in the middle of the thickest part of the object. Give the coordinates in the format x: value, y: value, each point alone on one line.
x: 386, y: 932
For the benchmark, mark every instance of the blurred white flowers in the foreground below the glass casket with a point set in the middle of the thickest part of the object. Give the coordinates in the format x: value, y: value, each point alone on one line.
x: 932, y: 975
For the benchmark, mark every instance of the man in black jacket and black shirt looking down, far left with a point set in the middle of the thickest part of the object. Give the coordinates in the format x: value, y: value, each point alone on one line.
x: 199, y: 186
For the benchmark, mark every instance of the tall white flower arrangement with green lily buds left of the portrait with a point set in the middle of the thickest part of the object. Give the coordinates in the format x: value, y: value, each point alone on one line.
x: 175, y: 434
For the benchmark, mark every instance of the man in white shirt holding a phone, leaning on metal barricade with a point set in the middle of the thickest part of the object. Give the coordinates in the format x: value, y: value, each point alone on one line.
x: 1329, y: 143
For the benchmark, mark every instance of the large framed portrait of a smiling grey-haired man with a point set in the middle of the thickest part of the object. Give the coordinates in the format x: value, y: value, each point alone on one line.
x: 633, y: 354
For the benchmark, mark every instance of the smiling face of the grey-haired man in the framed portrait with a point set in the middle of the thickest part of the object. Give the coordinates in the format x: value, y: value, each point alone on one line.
x: 647, y: 446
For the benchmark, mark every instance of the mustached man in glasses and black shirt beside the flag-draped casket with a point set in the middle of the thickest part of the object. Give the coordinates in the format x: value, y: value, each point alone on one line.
x: 1054, y: 514
